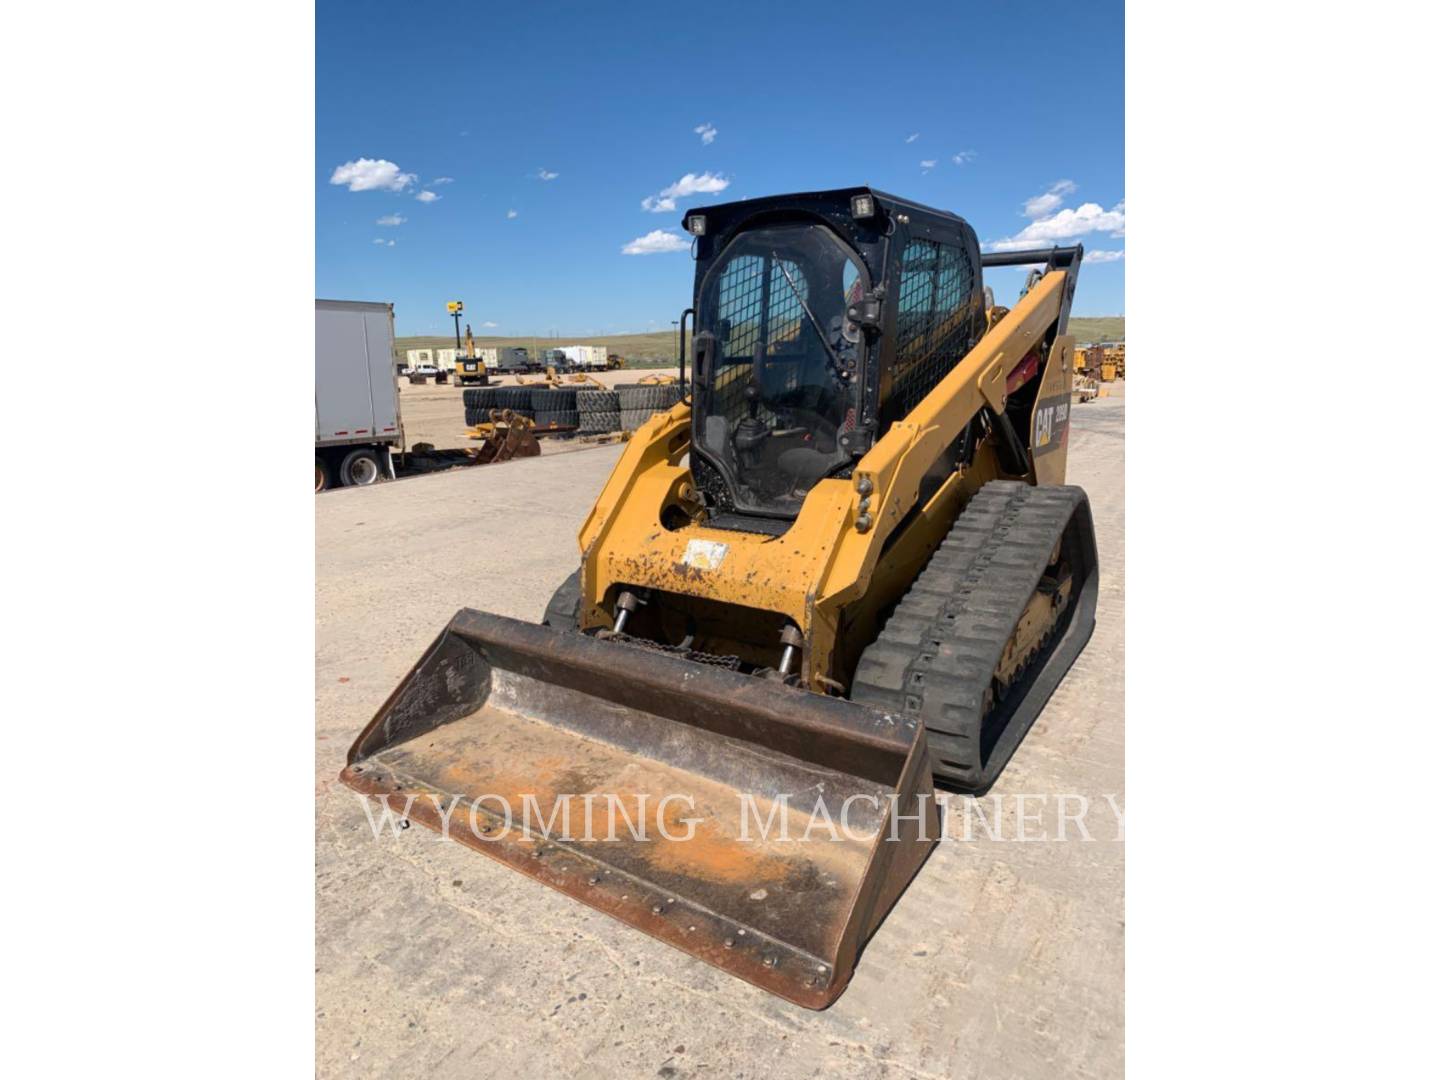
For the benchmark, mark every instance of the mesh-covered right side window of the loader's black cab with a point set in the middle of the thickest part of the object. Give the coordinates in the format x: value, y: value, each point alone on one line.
x: 932, y: 319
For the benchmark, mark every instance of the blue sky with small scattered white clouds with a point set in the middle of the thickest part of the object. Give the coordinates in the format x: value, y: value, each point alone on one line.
x: 503, y: 155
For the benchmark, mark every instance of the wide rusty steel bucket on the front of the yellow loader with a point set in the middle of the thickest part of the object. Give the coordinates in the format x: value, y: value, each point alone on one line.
x: 761, y: 829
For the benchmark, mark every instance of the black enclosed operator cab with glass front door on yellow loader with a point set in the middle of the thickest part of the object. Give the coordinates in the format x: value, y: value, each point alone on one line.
x: 800, y: 306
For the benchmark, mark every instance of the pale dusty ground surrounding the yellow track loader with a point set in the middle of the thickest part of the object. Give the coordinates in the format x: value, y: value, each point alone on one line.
x: 1003, y: 960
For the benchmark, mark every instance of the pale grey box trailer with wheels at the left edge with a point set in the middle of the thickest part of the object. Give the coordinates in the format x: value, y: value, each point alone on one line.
x: 358, y: 402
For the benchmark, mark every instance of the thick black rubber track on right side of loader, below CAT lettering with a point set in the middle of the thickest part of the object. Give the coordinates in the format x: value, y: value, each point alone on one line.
x: 938, y: 653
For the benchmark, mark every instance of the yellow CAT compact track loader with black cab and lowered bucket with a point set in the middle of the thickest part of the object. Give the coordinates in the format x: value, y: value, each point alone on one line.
x: 843, y: 568
